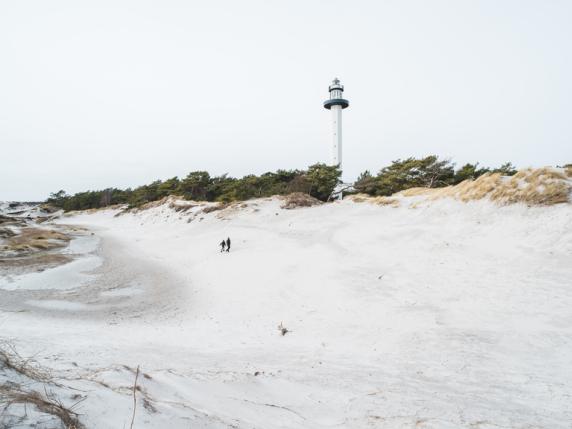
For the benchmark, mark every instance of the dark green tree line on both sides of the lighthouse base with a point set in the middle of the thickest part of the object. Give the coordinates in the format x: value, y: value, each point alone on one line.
x: 318, y: 180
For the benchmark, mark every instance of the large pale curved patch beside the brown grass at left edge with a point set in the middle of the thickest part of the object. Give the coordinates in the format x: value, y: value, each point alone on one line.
x: 68, y: 276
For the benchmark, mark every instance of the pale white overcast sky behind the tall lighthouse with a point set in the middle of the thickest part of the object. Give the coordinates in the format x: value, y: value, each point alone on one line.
x: 119, y: 93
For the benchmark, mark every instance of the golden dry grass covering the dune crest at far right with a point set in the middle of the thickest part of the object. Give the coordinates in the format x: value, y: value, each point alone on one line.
x: 542, y: 186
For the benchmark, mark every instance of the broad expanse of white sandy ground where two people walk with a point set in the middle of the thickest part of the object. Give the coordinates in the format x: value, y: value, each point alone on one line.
x: 446, y: 315
